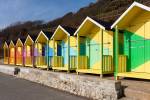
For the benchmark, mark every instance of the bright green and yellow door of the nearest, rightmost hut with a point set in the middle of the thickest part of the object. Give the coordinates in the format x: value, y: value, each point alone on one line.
x: 134, y: 48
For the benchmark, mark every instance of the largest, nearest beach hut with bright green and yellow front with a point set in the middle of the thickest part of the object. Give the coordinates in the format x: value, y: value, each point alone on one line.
x: 134, y: 58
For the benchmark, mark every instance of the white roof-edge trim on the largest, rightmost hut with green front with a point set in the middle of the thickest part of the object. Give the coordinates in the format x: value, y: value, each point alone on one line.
x: 135, y: 4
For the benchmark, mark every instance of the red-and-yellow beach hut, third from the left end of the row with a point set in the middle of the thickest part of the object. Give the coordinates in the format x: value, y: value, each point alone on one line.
x: 20, y: 51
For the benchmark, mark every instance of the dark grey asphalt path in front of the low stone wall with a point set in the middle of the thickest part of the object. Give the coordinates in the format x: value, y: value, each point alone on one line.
x: 12, y: 88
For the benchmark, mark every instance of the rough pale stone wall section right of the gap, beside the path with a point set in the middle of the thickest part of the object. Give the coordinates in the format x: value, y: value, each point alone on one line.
x: 90, y: 87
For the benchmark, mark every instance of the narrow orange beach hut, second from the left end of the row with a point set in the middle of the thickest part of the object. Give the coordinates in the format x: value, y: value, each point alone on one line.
x: 12, y: 57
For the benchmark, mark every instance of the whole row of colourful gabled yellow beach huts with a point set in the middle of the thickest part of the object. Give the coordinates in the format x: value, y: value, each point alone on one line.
x: 96, y: 47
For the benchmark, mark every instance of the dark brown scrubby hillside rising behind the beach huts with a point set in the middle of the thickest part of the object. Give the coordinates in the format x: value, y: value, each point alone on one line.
x: 107, y: 10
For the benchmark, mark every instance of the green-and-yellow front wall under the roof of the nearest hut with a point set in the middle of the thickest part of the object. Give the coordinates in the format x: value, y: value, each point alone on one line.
x: 137, y: 43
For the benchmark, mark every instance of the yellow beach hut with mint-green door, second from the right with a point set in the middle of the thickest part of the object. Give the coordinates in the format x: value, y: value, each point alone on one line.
x: 95, y: 47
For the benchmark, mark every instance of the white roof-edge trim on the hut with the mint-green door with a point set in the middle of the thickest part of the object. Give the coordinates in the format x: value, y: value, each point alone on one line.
x: 93, y: 21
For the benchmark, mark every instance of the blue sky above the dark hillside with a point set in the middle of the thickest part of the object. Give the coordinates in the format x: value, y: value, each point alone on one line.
x: 12, y: 11
